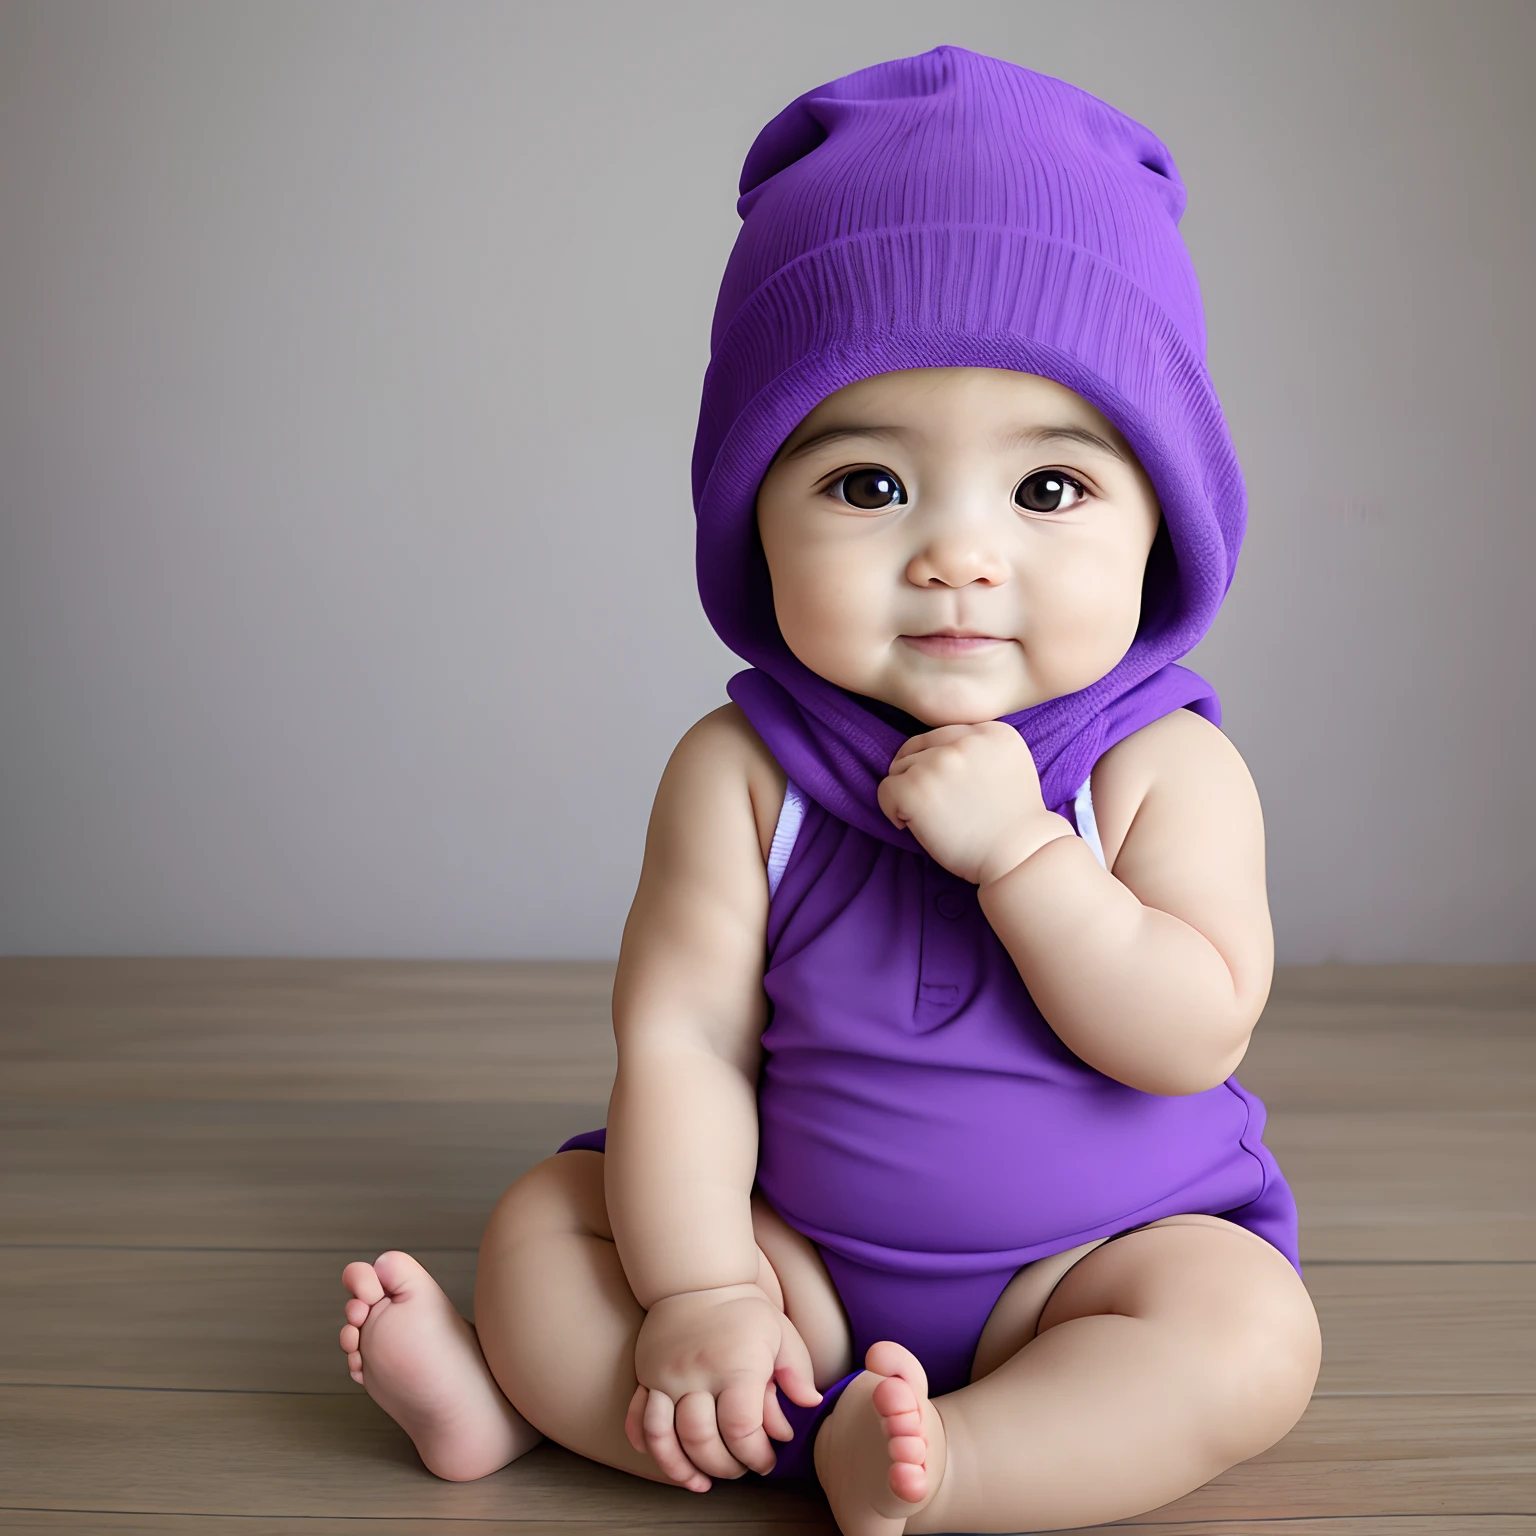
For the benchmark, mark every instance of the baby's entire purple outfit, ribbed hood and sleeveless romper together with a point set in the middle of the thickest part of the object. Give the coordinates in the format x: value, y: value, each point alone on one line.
x: 919, y: 1119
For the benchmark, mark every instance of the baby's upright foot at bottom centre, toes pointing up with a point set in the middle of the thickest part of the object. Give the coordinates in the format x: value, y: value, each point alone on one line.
x: 881, y: 1452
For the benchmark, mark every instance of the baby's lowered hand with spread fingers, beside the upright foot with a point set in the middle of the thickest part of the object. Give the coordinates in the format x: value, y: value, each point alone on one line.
x: 707, y: 1363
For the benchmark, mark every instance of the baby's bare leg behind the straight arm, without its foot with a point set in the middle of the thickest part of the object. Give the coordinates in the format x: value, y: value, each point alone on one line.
x: 558, y: 1322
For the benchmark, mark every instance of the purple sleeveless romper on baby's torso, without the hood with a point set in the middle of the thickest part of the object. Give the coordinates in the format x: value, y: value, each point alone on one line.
x: 924, y: 1127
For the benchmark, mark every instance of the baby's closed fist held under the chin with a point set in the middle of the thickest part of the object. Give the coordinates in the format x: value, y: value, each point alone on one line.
x: 972, y: 796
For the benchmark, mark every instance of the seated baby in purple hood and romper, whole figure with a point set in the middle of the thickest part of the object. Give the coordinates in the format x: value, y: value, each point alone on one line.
x: 925, y: 1171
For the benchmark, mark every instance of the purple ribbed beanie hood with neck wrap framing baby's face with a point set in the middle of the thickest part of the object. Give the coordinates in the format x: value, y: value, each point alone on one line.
x: 958, y: 211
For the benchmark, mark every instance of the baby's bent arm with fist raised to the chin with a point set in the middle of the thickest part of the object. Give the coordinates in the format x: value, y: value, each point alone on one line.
x: 1157, y: 973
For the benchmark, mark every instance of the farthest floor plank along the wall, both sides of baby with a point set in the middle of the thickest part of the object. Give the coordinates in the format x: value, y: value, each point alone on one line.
x: 237, y: 1030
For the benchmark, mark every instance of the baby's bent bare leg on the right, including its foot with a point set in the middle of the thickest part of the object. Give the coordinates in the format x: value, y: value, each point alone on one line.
x: 1162, y: 1360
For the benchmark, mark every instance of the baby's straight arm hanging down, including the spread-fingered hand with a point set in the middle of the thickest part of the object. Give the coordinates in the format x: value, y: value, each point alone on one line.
x: 683, y: 1122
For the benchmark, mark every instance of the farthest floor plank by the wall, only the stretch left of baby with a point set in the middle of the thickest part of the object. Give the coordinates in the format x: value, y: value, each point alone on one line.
x: 116, y: 1030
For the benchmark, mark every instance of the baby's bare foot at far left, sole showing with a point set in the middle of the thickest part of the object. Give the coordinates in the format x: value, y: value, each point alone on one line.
x: 423, y: 1366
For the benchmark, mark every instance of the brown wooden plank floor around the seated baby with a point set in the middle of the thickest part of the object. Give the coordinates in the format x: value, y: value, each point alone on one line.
x: 194, y: 1150
